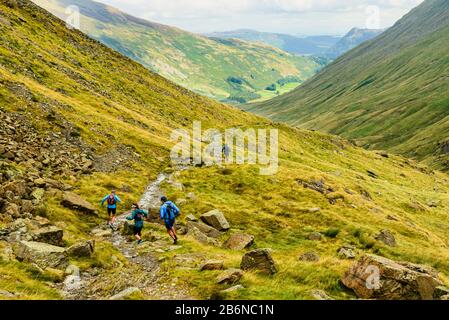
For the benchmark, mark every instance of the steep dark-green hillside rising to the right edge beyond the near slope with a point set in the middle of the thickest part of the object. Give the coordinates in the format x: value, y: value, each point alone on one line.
x: 389, y: 93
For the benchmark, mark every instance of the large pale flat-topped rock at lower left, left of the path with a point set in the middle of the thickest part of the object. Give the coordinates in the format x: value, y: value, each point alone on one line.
x: 43, y: 254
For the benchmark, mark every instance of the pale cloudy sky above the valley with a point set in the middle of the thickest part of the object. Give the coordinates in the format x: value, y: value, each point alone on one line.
x: 300, y: 17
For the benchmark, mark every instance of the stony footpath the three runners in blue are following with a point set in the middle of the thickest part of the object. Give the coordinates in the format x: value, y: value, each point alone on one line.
x: 142, y: 274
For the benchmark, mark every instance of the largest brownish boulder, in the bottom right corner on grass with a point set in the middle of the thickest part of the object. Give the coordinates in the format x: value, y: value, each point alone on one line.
x: 374, y: 277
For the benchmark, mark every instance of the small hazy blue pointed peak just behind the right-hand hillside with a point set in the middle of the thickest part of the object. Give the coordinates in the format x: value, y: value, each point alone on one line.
x: 352, y: 39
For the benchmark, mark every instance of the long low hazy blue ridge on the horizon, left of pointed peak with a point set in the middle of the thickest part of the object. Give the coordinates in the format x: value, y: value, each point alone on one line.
x: 314, y: 45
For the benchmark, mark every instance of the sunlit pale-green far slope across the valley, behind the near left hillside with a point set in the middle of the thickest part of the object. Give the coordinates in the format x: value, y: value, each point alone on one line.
x: 223, y: 69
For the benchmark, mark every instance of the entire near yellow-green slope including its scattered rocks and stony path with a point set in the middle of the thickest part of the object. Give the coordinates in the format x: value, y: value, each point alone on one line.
x: 78, y: 119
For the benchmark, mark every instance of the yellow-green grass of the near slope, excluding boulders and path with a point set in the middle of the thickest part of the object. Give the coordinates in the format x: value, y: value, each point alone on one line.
x: 58, y: 83
